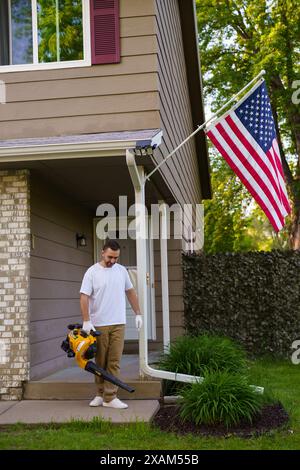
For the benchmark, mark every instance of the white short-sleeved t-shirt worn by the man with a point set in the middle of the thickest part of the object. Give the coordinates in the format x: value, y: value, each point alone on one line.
x: 106, y: 288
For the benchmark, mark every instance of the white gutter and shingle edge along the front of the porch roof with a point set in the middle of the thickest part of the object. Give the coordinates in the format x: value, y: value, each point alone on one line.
x: 78, y: 146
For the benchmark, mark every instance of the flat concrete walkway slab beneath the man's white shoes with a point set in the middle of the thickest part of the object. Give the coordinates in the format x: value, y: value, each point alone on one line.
x: 60, y: 411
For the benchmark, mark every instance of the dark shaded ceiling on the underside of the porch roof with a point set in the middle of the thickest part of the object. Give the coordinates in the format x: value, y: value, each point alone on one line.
x: 89, y: 181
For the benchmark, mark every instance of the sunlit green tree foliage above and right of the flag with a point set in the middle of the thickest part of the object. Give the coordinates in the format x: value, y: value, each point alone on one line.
x: 238, y: 38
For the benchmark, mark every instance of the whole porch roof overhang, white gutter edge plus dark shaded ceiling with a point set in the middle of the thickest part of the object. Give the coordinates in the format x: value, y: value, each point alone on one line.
x: 91, y: 169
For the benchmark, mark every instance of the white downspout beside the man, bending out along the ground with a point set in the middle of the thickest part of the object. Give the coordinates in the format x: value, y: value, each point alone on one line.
x: 138, y: 179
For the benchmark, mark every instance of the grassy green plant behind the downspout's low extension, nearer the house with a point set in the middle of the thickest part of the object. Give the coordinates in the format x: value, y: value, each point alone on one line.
x: 193, y: 354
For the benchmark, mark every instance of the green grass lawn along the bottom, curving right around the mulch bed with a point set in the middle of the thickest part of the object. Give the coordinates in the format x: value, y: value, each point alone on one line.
x: 282, y: 378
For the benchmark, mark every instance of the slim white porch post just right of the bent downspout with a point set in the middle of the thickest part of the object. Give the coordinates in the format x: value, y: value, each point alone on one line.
x: 164, y: 274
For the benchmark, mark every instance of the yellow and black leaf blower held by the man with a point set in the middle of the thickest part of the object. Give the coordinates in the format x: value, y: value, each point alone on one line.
x: 83, y: 347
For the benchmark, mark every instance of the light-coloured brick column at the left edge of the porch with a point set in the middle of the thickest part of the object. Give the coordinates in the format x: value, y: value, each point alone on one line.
x: 14, y: 282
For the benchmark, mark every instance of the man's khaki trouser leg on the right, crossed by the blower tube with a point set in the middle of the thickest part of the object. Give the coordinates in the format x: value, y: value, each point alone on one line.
x: 115, y: 350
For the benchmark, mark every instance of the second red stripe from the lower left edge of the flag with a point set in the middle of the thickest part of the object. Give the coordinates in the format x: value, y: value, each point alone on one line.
x: 252, y: 171
